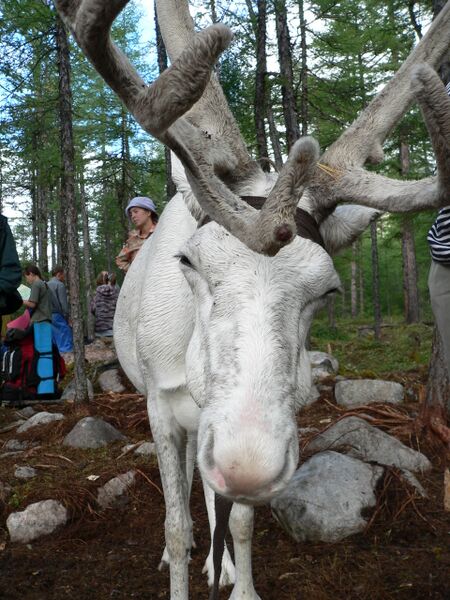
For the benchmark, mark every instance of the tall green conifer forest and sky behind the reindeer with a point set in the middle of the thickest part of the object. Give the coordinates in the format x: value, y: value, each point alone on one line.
x: 294, y: 68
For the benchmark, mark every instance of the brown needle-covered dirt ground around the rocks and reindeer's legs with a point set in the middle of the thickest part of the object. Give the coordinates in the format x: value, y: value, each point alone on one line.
x: 403, y: 554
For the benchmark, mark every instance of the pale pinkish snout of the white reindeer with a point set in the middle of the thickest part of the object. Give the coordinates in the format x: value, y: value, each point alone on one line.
x: 250, y: 466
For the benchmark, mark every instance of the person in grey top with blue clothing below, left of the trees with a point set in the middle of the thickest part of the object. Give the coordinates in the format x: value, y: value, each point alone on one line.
x: 62, y: 332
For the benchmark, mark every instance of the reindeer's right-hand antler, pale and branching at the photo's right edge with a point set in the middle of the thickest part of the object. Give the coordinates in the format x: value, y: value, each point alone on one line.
x: 364, y: 138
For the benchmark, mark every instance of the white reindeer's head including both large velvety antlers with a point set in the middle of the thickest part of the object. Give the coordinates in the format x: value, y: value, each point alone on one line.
x: 255, y: 284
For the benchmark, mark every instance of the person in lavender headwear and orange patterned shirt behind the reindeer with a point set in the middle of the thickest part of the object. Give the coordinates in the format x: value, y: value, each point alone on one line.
x: 141, y: 211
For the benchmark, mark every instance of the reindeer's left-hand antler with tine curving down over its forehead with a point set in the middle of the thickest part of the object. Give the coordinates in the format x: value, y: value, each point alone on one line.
x: 159, y: 108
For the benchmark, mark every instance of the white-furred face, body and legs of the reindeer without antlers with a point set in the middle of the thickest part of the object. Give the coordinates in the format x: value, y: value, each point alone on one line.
x: 218, y: 348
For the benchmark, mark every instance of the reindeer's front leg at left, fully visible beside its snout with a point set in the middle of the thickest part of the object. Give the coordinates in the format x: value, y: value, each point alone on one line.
x: 170, y: 448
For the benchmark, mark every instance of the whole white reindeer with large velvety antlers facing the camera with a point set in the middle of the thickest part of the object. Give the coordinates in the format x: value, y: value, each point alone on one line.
x: 211, y: 321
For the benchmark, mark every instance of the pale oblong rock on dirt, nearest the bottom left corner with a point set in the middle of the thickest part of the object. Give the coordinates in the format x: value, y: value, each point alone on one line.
x: 38, y: 519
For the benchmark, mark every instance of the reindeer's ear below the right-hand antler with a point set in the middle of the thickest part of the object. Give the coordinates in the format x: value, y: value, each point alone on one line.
x: 345, y: 224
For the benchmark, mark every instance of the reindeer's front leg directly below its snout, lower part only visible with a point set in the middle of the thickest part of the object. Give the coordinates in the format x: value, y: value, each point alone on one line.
x: 241, y: 527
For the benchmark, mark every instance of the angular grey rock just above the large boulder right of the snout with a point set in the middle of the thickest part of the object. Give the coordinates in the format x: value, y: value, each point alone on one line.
x: 359, y: 439
